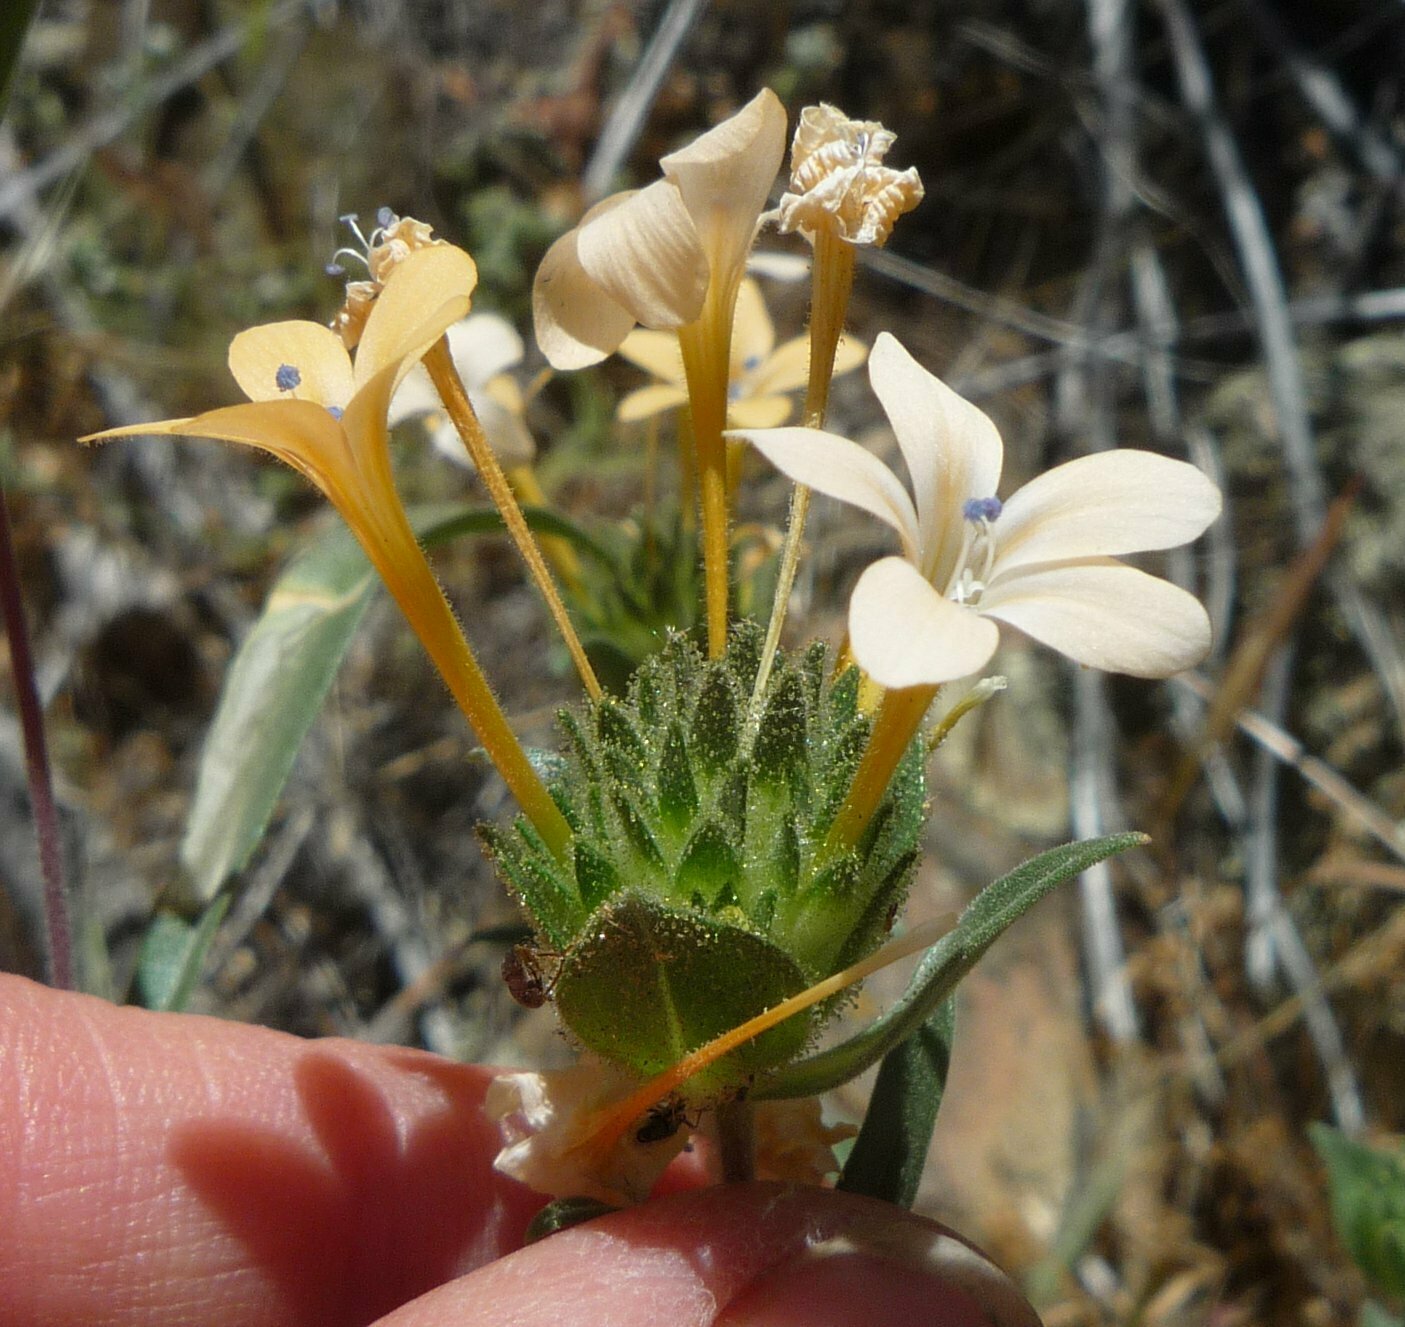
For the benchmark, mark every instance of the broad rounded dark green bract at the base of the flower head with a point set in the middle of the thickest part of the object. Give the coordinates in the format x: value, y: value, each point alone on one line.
x: 647, y: 985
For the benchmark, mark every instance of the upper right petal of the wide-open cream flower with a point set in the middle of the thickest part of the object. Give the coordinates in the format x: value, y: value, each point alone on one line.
x: 1106, y: 504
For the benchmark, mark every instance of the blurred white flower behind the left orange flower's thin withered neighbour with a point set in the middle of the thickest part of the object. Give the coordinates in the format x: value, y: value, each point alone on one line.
x: 484, y: 347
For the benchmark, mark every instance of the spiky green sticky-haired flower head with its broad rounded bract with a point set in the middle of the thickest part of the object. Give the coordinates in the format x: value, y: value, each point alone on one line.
x: 699, y: 891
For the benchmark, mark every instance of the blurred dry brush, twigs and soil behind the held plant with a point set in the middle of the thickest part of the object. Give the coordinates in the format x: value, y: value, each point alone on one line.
x: 1170, y: 224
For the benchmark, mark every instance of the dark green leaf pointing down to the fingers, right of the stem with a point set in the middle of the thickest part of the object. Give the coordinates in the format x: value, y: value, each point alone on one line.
x: 893, y: 1145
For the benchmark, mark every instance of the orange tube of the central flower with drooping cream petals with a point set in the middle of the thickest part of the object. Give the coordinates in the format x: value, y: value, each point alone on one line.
x: 707, y: 355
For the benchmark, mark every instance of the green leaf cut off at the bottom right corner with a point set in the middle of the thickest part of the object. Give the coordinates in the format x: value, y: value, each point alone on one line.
x: 1368, y: 1205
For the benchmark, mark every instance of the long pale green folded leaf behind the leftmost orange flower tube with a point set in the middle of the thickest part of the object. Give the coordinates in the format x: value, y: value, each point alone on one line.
x: 277, y: 684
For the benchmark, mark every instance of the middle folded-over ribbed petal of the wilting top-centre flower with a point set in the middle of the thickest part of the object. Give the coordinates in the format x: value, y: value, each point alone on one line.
x: 644, y: 254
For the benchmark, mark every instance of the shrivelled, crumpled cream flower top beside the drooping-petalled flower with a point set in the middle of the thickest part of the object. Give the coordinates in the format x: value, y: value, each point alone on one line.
x: 838, y: 179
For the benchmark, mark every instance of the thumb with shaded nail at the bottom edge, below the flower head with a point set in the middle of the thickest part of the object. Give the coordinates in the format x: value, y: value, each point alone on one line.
x: 766, y: 1256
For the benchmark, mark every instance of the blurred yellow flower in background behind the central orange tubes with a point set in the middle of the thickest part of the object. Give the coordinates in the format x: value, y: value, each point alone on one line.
x: 761, y: 376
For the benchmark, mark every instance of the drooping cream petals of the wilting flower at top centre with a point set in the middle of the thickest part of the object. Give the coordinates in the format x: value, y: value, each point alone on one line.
x: 648, y: 257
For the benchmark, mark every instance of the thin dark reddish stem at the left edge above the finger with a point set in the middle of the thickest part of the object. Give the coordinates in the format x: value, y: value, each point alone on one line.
x: 57, y: 920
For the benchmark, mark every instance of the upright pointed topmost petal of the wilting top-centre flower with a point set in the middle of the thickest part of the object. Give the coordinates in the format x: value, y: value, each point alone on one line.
x: 726, y: 178
